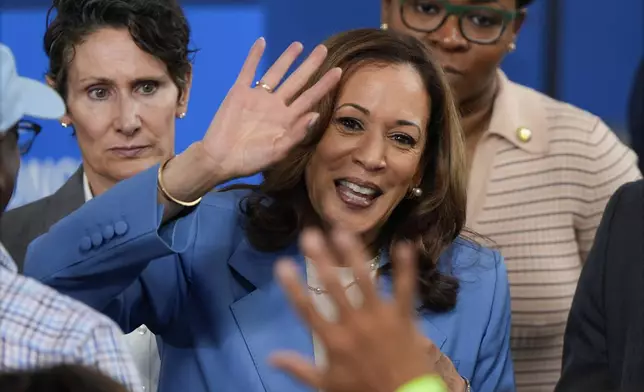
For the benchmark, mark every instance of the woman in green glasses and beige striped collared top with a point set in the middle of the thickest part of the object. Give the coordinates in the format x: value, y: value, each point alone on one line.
x: 540, y: 171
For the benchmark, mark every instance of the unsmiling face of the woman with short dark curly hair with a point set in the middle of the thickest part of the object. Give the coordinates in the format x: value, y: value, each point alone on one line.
x: 122, y: 103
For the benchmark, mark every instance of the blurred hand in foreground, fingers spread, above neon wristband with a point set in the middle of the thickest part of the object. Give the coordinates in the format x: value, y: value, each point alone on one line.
x: 375, y: 347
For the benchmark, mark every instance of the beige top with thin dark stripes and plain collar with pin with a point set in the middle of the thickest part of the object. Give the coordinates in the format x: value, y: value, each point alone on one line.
x: 540, y: 179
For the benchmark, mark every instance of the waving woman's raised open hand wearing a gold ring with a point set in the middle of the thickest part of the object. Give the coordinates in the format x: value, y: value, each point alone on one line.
x: 254, y: 126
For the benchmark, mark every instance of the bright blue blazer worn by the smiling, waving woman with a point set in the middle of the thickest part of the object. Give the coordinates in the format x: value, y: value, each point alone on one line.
x: 212, y: 299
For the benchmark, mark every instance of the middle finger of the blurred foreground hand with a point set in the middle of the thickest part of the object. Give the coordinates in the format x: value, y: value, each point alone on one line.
x: 318, y: 250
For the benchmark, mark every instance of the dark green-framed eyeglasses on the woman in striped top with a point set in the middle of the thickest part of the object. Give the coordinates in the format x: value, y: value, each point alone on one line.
x: 478, y: 24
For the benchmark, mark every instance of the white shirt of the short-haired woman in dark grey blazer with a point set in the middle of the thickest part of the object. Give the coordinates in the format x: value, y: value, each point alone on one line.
x: 142, y: 343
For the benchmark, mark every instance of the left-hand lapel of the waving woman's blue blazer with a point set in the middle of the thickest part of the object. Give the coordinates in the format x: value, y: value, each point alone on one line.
x: 266, y: 319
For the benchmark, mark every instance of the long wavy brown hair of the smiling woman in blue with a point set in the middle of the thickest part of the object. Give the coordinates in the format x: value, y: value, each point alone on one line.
x: 276, y: 211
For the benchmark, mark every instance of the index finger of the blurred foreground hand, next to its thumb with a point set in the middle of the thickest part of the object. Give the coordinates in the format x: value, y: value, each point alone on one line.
x: 287, y: 274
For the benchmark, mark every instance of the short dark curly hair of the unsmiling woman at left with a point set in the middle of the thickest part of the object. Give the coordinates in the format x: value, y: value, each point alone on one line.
x: 158, y: 27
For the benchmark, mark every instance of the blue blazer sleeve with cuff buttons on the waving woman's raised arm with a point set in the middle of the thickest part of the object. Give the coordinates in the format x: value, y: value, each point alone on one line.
x: 114, y: 255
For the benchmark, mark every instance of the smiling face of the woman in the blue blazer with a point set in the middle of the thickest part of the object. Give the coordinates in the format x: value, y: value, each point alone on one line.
x: 370, y: 154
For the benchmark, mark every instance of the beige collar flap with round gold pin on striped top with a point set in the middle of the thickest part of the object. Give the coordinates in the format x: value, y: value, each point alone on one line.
x: 519, y: 112
